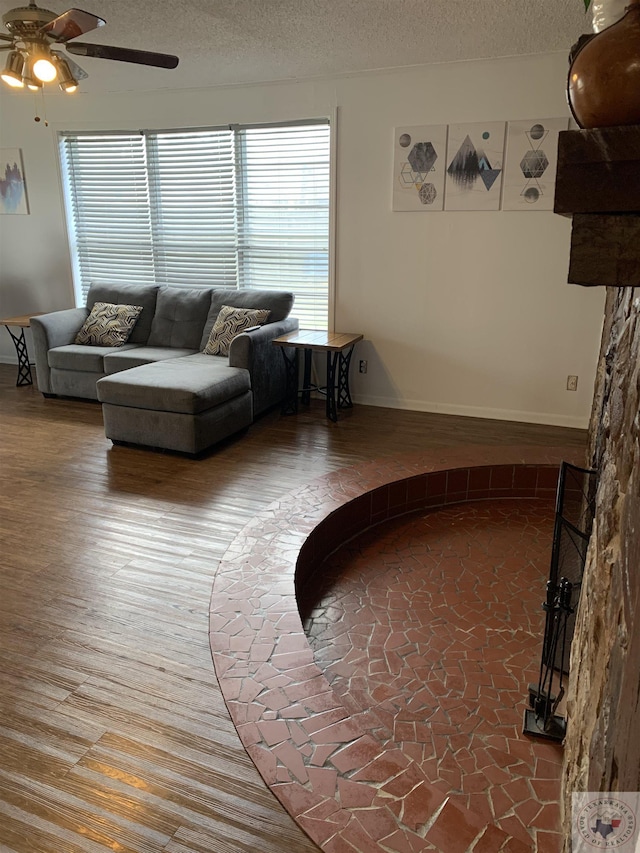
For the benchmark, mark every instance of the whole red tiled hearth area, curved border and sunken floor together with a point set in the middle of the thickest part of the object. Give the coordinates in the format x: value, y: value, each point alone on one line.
x: 396, y: 726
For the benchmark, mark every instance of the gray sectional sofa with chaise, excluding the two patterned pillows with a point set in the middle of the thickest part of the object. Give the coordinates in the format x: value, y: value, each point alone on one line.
x: 159, y: 389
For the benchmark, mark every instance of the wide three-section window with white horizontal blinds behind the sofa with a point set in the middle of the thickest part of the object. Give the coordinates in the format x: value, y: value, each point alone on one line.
x: 228, y: 207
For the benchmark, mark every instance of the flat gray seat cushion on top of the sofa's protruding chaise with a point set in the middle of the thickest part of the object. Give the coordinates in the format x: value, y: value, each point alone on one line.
x: 187, y: 385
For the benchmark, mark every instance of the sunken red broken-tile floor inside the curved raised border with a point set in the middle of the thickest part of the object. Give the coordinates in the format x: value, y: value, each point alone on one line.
x: 429, y: 631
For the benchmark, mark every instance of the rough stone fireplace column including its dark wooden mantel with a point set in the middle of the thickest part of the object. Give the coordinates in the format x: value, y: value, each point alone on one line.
x: 599, y: 183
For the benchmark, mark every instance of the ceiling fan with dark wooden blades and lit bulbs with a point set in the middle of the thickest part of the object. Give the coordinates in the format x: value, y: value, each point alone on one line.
x: 33, y: 34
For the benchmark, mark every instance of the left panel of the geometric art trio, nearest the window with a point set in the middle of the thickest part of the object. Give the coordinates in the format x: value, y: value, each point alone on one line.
x: 419, y: 155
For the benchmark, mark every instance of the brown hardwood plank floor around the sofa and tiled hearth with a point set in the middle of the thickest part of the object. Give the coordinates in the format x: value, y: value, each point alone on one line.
x: 113, y: 734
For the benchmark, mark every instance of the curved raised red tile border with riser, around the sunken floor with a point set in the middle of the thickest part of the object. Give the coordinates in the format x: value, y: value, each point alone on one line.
x: 332, y: 776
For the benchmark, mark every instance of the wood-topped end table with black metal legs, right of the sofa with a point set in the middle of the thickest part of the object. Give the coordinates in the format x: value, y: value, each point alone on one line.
x: 338, y: 347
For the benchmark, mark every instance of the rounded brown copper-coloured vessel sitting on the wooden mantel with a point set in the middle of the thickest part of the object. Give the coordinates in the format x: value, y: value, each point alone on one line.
x: 604, y: 77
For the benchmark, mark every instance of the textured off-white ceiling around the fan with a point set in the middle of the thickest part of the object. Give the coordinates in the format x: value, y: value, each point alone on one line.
x: 222, y: 42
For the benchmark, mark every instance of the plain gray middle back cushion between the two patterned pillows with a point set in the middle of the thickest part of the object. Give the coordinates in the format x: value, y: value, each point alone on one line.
x: 180, y: 316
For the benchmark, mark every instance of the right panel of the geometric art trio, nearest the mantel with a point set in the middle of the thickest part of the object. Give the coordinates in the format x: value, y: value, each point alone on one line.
x: 531, y: 162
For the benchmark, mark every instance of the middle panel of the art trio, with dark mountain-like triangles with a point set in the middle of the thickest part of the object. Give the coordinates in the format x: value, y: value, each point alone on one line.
x: 475, y: 160
